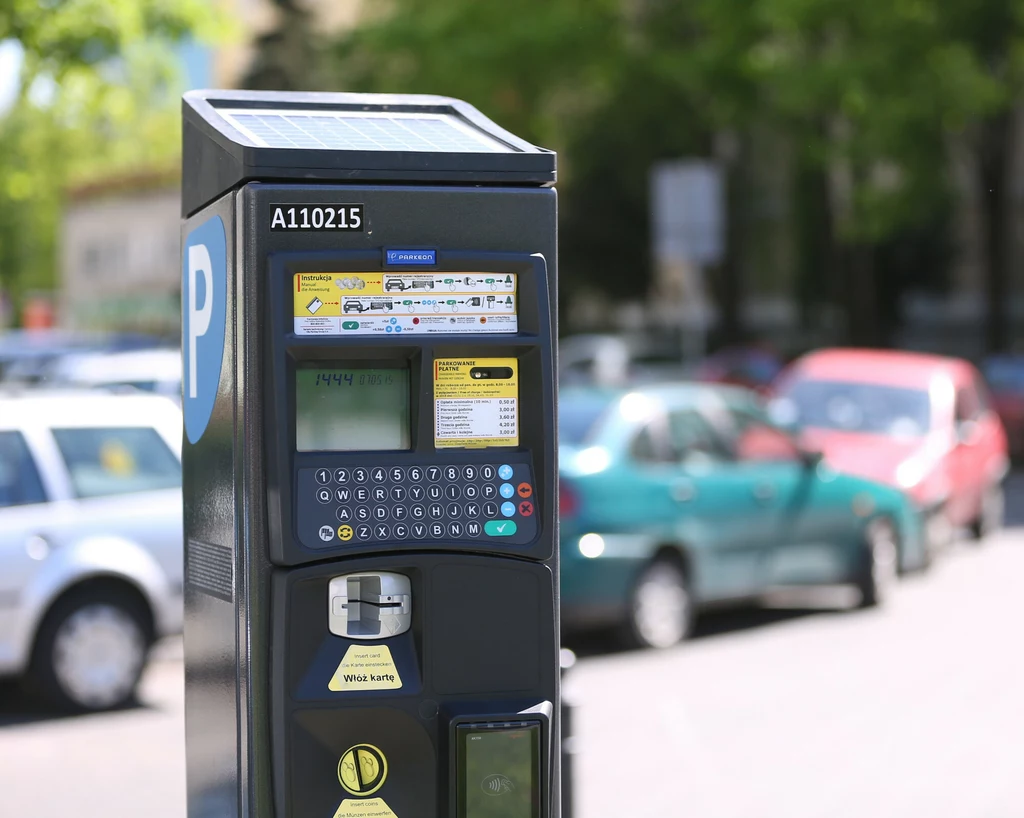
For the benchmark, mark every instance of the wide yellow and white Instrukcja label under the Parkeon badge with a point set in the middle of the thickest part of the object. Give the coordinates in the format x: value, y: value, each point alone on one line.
x: 393, y: 304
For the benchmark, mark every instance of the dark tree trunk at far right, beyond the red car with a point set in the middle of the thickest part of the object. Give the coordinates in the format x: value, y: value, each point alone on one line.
x: 995, y: 165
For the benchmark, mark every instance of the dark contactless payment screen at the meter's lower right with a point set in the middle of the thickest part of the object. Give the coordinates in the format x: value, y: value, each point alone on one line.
x: 499, y: 771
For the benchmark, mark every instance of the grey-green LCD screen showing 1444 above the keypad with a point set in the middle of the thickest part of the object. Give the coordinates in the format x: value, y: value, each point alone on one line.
x: 352, y: 410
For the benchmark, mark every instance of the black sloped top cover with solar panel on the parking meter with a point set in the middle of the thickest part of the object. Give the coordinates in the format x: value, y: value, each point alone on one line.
x: 234, y: 138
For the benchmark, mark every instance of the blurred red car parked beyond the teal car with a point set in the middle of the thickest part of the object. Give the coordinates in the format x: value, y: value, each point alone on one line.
x: 920, y: 422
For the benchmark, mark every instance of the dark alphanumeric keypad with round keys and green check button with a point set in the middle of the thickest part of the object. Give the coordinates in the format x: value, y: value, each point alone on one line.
x: 389, y: 503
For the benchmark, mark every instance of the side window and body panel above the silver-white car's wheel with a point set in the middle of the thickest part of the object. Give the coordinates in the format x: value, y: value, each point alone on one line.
x: 126, y: 483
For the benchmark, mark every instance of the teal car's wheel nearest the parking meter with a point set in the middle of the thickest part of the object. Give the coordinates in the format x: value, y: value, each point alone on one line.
x: 661, y: 610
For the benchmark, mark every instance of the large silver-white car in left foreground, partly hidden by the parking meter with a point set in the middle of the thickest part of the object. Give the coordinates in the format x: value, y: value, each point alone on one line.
x: 91, y: 541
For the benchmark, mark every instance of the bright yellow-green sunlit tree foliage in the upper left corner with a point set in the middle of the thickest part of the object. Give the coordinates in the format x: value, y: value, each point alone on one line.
x: 97, y: 91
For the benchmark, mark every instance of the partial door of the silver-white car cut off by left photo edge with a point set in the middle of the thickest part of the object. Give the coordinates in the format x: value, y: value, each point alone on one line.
x: 23, y: 514
